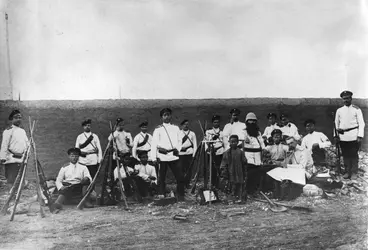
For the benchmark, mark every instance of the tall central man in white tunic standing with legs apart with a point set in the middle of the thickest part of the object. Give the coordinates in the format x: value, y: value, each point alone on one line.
x: 166, y: 145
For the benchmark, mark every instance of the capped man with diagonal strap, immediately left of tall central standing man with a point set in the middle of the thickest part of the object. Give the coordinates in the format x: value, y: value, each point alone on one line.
x: 142, y: 141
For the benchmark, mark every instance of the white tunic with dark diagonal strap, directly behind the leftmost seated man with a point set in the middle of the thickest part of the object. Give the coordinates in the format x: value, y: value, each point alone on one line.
x: 93, y: 146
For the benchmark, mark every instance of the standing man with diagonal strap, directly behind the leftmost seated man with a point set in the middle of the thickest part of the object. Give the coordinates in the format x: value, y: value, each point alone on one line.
x: 89, y: 144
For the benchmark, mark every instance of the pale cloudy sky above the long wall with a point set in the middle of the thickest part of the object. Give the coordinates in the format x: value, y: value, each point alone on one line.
x: 140, y: 49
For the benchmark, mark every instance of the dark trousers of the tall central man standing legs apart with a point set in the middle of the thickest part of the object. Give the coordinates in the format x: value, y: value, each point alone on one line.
x: 178, y: 173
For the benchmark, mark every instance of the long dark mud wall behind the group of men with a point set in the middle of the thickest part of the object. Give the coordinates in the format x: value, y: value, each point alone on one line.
x: 59, y: 122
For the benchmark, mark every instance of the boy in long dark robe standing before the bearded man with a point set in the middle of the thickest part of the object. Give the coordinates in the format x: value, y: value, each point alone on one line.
x: 234, y: 169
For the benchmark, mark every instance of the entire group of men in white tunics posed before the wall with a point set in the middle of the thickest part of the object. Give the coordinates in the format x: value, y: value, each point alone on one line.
x: 173, y: 147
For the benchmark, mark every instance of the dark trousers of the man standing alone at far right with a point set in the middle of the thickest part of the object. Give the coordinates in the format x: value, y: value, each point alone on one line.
x: 349, y: 150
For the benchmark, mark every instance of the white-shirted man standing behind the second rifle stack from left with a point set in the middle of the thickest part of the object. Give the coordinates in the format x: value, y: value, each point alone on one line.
x: 124, y: 140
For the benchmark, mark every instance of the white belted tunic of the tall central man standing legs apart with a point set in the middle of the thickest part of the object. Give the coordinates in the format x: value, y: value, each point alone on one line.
x: 165, y: 136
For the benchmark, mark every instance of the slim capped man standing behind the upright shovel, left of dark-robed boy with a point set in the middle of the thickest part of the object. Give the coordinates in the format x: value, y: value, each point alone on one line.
x: 215, y: 134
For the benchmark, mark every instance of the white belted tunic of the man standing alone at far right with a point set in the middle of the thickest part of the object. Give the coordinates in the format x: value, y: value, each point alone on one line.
x: 350, y: 117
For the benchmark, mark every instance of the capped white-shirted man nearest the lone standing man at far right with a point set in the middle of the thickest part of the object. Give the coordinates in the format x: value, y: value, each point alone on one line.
x: 315, y: 142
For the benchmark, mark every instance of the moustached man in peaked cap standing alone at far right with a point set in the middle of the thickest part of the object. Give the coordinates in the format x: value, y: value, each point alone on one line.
x: 350, y: 127
